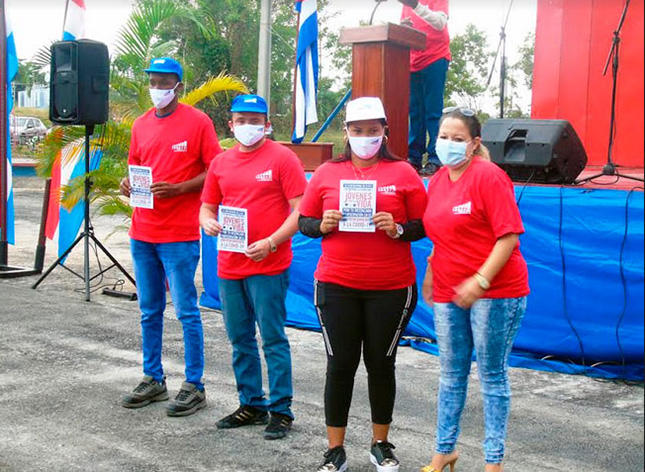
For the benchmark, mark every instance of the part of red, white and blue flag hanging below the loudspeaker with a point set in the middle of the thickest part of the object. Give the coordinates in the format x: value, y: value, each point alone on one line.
x: 63, y: 224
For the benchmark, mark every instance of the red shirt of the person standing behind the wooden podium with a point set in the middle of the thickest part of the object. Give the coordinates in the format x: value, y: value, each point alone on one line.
x: 437, y: 42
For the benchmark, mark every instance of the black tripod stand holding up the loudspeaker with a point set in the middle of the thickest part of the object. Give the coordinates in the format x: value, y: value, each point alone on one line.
x: 86, y: 235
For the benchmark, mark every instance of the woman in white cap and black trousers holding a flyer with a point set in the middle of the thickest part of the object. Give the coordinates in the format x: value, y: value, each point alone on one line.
x: 367, y: 206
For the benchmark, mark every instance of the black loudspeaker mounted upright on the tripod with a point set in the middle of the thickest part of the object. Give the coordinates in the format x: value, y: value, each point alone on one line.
x: 80, y: 78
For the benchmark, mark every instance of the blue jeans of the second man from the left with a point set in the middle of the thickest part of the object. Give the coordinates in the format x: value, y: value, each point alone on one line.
x: 260, y: 300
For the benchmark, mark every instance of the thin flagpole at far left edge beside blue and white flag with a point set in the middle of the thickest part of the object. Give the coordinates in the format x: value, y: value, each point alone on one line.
x: 4, y: 191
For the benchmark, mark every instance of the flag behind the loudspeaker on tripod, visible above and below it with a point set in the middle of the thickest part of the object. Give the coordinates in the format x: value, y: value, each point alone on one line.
x: 63, y: 224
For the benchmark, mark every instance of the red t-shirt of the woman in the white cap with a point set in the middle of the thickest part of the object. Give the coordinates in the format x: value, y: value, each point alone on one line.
x: 367, y: 261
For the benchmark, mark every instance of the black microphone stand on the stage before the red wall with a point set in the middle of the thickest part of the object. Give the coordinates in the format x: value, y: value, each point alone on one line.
x: 610, y: 169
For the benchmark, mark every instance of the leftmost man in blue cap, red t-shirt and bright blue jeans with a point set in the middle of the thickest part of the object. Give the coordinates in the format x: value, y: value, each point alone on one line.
x: 176, y: 143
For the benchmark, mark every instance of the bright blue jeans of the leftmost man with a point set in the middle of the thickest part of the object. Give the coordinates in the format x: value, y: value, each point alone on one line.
x: 177, y: 263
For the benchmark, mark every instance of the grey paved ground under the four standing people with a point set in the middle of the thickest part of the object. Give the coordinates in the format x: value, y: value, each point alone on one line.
x: 64, y: 364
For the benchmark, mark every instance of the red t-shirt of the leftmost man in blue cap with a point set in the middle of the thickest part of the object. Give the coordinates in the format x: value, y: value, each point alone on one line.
x: 178, y: 148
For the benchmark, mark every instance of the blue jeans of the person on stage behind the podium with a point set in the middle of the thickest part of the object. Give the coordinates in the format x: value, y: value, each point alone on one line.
x: 426, y: 108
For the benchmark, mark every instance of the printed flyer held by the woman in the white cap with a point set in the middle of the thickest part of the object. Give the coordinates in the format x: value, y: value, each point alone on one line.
x: 358, y: 205
